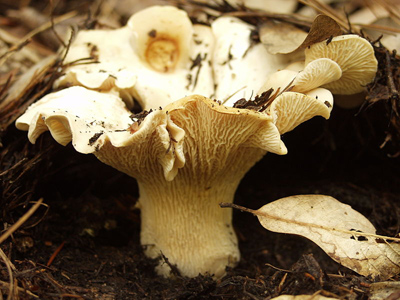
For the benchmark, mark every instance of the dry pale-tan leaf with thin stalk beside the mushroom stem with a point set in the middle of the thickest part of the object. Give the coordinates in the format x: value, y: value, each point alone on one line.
x: 343, y: 233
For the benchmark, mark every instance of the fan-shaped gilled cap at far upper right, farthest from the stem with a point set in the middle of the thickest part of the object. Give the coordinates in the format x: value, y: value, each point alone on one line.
x: 354, y: 55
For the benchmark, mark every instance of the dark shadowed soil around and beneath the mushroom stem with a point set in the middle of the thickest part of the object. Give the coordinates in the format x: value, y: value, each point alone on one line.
x: 85, y: 244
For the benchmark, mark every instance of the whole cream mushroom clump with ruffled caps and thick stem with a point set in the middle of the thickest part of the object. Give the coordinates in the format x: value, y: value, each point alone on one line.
x: 187, y: 152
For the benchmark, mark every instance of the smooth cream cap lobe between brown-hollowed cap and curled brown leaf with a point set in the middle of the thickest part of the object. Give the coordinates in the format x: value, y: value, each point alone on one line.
x: 240, y: 66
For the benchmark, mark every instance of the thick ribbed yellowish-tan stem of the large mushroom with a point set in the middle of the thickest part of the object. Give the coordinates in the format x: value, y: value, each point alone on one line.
x: 186, y: 209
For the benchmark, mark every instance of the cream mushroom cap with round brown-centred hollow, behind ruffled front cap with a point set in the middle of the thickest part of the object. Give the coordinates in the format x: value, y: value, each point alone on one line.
x: 158, y: 57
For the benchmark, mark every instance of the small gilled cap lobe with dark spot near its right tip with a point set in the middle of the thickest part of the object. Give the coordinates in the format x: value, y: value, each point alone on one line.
x: 291, y: 108
